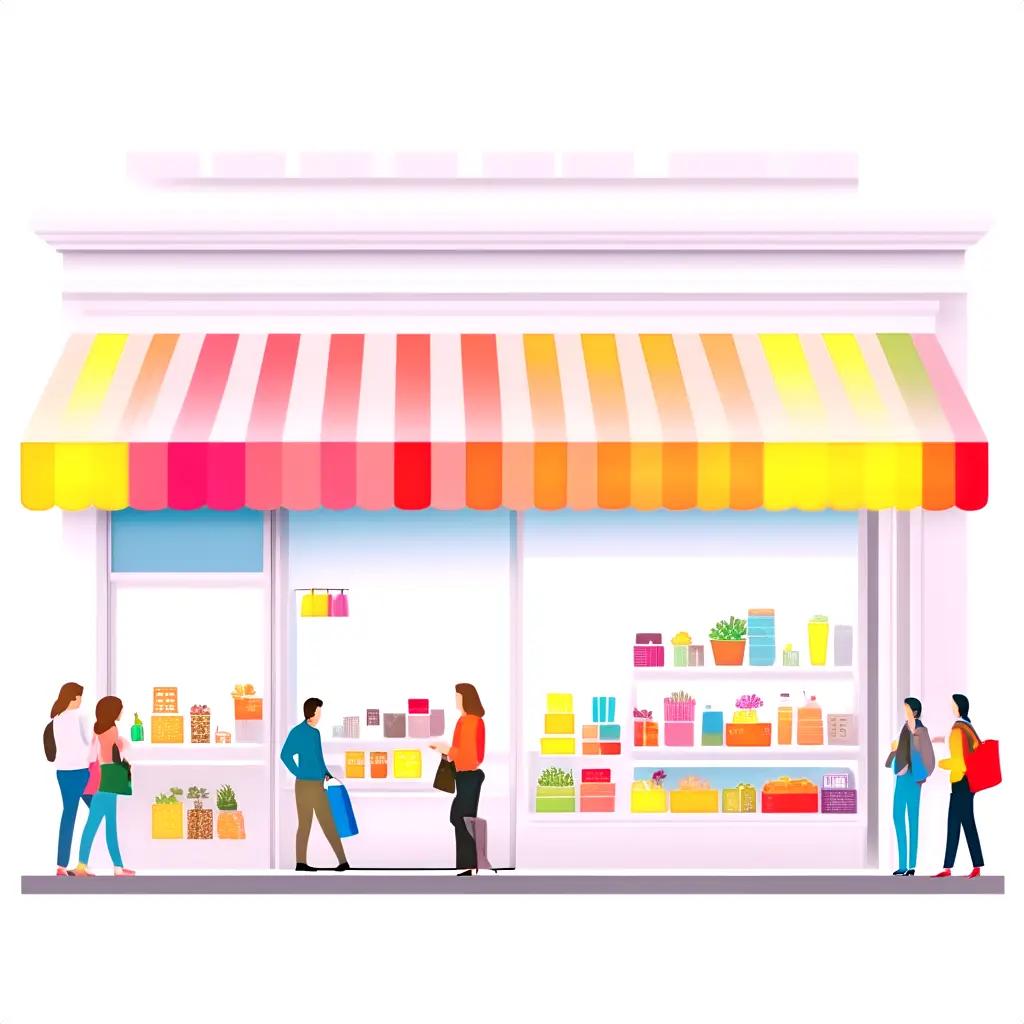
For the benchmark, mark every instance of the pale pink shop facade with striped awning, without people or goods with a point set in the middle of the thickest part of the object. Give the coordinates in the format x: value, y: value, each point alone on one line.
x: 463, y: 407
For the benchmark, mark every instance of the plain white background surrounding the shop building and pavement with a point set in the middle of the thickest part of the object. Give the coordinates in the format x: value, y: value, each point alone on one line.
x: 928, y: 93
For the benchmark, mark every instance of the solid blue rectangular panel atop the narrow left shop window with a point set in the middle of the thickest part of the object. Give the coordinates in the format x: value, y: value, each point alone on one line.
x: 203, y: 541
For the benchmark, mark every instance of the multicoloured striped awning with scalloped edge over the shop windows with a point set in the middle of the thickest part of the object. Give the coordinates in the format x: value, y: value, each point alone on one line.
x: 523, y: 421
